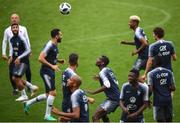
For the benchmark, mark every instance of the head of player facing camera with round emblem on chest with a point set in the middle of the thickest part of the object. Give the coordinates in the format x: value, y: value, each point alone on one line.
x: 133, y: 76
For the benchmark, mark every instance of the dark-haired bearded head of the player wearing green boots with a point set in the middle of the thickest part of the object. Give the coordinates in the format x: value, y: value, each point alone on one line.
x: 56, y: 34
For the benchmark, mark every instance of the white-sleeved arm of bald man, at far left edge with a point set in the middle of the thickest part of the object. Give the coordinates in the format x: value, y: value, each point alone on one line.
x: 4, y: 45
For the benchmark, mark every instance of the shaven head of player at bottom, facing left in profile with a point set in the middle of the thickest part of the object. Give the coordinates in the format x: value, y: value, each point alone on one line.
x: 74, y: 82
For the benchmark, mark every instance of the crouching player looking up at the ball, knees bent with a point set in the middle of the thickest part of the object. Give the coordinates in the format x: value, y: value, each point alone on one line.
x: 109, y: 85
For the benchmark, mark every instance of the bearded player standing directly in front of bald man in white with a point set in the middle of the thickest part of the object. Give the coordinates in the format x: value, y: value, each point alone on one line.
x: 19, y: 51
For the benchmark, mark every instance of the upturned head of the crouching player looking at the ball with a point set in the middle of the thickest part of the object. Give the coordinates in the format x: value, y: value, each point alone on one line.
x: 102, y: 61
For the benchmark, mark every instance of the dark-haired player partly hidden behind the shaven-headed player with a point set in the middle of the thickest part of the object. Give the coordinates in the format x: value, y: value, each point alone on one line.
x: 67, y: 74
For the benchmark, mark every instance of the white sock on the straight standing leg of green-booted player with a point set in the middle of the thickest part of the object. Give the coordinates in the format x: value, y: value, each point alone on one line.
x: 49, y: 104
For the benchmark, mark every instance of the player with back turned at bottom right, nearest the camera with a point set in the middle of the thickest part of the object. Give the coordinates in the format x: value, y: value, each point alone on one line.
x: 161, y: 83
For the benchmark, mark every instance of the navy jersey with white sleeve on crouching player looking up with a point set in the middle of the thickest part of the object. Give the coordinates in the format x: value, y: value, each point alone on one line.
x: 108, y: 79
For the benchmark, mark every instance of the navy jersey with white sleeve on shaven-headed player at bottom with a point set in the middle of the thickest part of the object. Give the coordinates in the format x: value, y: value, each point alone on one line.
x: 79, y: 99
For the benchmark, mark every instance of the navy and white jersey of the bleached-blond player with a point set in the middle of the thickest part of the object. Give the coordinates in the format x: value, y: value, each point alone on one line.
x: 139, y: 34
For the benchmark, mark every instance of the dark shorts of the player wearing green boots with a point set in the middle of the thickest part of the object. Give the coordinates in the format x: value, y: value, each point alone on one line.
x: 48, y: 77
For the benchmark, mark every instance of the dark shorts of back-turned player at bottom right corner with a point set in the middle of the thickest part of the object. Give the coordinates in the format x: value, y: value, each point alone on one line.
x: 163, y: 113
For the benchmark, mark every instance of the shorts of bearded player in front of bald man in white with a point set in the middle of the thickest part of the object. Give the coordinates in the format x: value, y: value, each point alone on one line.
x: 19, y: 70
